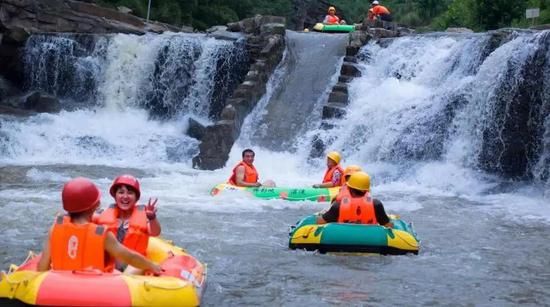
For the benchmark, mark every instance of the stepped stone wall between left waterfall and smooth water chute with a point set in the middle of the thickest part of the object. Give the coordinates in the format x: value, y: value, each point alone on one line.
x: 266, y: 44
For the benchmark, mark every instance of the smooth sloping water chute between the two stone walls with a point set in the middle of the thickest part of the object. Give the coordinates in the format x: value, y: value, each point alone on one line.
x: 296, y: 92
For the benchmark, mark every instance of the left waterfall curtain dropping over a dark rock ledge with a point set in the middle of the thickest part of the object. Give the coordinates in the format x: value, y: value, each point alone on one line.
x: 169, y: 75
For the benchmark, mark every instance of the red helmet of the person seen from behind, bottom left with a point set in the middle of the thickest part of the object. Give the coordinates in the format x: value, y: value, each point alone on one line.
x: 79, y: 195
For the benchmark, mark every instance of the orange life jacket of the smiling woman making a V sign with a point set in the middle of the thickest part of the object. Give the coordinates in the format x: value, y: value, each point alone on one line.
x: 137, y: 237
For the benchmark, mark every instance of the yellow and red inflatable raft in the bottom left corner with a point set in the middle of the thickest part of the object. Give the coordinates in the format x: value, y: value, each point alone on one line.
x: 181, y: 283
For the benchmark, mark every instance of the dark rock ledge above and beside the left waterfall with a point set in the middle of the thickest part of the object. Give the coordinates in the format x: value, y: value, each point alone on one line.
x: 21, y: 18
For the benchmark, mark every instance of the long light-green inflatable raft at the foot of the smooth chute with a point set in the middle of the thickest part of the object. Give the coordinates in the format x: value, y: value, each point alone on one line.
x: 292, y: 194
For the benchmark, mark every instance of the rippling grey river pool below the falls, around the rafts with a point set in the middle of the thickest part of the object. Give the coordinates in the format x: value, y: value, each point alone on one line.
x: 473, y: 252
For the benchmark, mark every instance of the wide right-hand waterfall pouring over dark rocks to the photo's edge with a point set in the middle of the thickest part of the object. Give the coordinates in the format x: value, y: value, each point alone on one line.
x: 451, y: 98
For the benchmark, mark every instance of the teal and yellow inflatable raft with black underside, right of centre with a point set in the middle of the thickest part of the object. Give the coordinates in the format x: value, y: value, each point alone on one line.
x: 354, y: 238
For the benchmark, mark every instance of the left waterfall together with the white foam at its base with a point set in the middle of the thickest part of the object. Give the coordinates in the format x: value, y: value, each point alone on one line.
x: 109, y: 80
